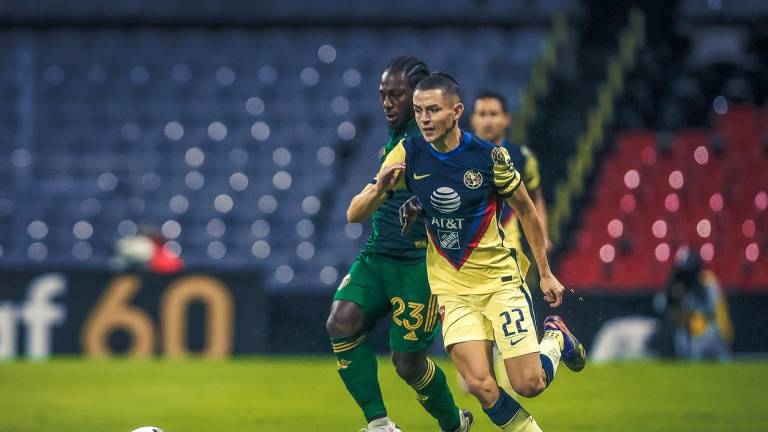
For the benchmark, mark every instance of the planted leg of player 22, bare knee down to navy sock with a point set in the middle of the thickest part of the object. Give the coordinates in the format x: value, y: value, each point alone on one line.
x: 474, y: 360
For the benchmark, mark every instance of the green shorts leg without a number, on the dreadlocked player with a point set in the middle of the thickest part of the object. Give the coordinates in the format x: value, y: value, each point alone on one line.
x: 363, y: 287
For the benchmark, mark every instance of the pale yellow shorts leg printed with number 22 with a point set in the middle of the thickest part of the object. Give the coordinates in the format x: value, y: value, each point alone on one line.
x: 514, y: 328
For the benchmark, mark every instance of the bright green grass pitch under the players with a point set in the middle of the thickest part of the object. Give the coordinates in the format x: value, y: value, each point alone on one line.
x: 305, y: 394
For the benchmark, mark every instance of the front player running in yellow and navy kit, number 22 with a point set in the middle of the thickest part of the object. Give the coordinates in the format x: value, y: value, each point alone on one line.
x: 462, y: 183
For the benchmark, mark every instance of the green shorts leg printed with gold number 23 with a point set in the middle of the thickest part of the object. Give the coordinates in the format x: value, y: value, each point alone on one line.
x: 414, y: 308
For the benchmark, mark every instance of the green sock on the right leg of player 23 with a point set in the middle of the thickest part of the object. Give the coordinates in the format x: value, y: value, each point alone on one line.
x: 435, y: 396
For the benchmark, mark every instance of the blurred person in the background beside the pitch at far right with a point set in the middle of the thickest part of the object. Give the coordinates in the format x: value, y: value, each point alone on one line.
x: 696, y: 321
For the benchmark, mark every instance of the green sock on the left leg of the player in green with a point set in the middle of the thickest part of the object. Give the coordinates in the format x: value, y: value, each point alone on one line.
x: 359, y: 371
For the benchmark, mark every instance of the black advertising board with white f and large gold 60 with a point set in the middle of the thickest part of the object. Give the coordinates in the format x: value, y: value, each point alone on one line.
x: 102, y: 314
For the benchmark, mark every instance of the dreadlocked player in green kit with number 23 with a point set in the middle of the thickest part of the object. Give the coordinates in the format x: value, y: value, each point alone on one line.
x: 390, y: 274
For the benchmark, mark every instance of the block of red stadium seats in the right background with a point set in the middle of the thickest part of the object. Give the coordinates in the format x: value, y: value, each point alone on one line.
x: 690, y: 195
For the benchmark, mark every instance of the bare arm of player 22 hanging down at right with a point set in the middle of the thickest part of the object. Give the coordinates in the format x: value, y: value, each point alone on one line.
x: 534, y: 232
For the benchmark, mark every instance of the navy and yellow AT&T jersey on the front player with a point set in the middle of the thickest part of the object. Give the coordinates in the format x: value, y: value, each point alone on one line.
x: 462, y: 207
